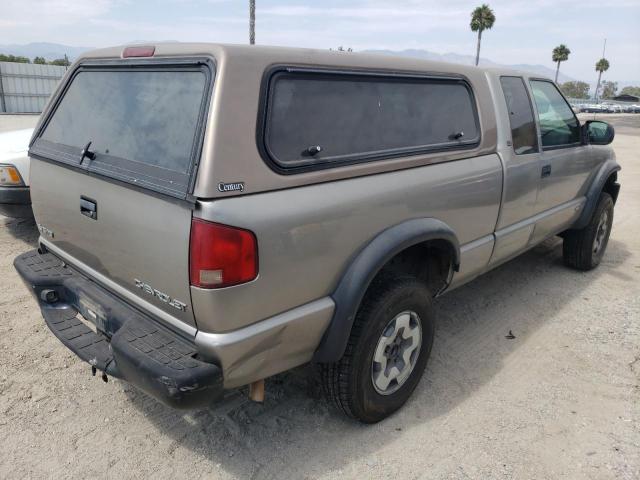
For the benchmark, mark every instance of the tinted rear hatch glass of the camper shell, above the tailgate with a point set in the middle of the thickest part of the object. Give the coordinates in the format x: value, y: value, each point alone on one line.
x: 142, y: 123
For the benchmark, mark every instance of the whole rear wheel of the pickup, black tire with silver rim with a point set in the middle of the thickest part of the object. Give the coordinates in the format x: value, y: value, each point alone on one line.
x: 387, y: 351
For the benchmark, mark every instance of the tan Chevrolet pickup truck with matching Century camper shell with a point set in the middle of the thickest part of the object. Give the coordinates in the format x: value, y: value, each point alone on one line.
x: 212, y: 215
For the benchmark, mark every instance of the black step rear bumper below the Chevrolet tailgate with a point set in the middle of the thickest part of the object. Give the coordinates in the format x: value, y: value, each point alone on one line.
x: 126, y: 344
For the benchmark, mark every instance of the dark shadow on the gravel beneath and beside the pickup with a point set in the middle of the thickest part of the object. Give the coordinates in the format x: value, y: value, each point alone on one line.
x: 278, y: 439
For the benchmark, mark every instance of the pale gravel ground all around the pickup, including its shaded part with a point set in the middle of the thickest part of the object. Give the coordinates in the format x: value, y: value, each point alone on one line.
x: 561, y: 400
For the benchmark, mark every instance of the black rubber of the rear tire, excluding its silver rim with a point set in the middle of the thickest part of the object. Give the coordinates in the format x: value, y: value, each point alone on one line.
x: 349, y: 382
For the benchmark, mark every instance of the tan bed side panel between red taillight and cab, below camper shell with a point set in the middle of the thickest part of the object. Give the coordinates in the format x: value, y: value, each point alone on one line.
x: 307, y: 236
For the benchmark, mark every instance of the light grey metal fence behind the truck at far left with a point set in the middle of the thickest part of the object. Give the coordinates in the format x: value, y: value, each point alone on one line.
x: 26, y: 87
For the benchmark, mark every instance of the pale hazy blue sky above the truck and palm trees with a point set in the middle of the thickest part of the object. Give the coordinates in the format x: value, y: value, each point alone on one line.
x: 525, y: 31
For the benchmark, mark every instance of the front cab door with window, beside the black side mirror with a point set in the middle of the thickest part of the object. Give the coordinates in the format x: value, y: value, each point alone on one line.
x: 565, y: 162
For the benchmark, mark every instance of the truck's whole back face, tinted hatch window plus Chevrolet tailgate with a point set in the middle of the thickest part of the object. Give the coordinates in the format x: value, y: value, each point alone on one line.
x: 112, y: 168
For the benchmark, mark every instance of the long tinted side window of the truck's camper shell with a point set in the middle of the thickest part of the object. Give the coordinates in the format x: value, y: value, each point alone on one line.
x: 325, y: 118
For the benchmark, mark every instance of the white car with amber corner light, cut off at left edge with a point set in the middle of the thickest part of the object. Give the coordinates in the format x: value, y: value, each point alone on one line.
x: 15, y: 200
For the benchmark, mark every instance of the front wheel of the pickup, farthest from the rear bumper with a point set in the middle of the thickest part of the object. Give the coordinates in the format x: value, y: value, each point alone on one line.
x: 579, y: 247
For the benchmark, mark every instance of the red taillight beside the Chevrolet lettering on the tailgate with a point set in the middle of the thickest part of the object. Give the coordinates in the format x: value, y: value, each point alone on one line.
x: 221, y: 256
